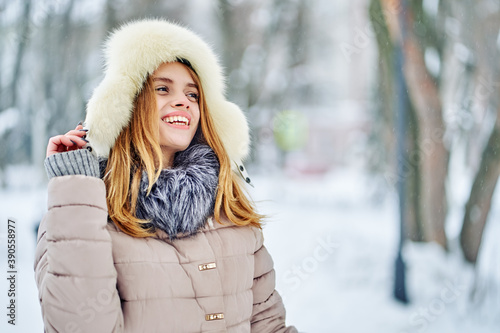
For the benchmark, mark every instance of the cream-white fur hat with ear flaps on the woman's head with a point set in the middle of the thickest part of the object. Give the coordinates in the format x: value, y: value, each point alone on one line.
x: 135, y: 51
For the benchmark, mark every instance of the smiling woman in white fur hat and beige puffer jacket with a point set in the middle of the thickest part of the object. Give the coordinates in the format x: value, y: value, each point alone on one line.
x: 157, y: 236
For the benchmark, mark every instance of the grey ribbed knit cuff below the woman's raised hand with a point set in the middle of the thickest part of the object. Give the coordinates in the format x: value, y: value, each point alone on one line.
x: 74, y: 162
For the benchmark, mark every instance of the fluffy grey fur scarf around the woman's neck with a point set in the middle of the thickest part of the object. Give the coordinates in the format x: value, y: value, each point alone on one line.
x: 183, y: 197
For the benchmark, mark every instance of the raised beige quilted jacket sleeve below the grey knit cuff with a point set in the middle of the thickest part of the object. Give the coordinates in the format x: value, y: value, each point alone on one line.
x: 74, y: 267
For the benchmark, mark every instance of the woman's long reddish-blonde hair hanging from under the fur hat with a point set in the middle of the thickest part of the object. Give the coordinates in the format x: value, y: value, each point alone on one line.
x: 137, y: 149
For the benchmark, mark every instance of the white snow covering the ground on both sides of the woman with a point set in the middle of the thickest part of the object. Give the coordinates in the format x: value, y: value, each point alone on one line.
x: 334, y: 250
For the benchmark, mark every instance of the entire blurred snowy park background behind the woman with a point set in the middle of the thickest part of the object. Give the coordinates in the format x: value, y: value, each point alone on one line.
x: 352, y: 105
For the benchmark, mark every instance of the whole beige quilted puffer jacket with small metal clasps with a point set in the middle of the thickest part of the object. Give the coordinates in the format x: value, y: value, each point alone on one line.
x: 94, y: 278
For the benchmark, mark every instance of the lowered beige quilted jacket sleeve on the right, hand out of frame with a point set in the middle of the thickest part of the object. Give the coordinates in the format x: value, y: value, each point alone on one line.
x: 268, y: 309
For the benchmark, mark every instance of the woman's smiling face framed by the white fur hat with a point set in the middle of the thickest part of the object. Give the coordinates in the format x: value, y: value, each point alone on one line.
x: 178, y: 108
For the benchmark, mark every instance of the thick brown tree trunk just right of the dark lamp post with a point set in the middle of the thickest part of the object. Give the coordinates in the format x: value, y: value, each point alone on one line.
x: 433, y: 155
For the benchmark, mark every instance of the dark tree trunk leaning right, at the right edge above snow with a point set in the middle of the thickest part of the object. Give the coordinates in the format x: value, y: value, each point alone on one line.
x: 479, y: 203
